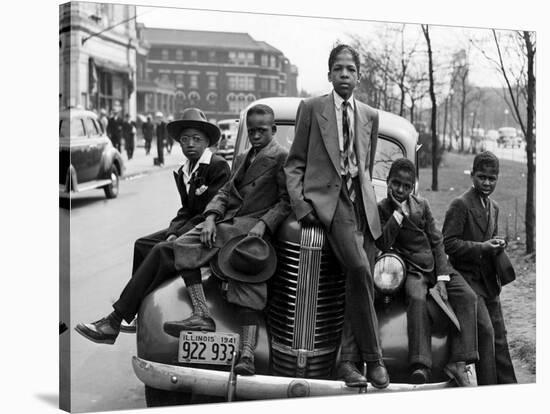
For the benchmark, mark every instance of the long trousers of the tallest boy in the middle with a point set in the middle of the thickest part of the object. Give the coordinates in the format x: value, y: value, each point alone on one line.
x: 350, y: 239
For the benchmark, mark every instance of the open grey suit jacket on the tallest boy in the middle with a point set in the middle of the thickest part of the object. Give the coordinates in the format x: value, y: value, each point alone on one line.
x: 313, y: 165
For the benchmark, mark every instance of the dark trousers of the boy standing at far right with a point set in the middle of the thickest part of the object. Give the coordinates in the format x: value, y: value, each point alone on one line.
x: 495, y: 364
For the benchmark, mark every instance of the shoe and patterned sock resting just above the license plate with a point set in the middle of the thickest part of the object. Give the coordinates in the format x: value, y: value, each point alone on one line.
x: 200, y: 320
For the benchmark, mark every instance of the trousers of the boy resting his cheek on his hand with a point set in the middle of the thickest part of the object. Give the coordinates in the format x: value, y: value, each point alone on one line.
x: 463, y: 301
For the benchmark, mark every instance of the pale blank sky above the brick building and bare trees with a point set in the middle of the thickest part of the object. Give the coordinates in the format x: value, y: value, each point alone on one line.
x: 307, y: 41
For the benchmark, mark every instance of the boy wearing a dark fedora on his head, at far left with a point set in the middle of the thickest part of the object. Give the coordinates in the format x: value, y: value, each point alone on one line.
x: 197, y: 180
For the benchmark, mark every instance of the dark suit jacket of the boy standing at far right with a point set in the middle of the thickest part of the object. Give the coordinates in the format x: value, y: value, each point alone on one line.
x: 466, y: 226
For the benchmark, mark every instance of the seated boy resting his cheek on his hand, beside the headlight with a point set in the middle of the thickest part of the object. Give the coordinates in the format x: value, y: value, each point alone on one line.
x: 408, y: 228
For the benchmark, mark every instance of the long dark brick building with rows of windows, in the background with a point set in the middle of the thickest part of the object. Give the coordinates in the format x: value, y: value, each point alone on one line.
x: 219, y: 72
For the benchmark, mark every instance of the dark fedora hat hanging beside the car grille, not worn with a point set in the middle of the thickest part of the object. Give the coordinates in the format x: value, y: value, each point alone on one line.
x: 246, y: 259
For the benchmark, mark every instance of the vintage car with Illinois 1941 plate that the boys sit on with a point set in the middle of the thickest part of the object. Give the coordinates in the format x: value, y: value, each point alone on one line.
x: 299, y: 340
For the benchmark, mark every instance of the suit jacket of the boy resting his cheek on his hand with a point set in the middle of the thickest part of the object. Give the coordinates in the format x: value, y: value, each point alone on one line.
x: 417, y: 240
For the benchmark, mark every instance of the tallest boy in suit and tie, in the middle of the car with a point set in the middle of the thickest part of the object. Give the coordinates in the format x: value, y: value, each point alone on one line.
x: 328, y: 173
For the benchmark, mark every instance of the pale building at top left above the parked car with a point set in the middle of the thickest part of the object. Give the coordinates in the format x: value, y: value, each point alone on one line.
x: 98, y: 46
